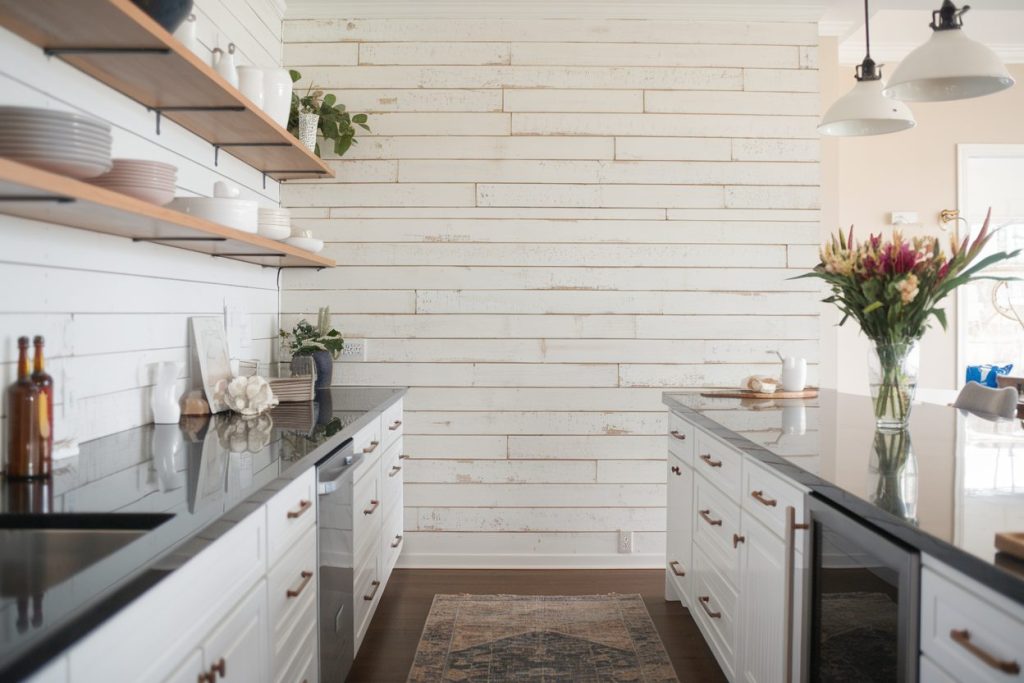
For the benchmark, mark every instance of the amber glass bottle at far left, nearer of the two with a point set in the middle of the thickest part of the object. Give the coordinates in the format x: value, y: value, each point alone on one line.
x: 24, y: 453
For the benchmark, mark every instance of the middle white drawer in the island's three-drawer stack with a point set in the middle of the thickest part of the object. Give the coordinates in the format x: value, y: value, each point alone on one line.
x: 716, y: 527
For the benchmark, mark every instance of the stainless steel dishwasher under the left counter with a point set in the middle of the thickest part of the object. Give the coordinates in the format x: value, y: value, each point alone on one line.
x: 334, y: 543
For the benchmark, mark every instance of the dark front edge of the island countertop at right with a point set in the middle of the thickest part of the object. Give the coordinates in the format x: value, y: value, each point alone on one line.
x: 1001, y: 581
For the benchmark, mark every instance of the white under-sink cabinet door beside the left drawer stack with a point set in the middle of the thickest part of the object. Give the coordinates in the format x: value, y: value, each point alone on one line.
x: 238, y: 649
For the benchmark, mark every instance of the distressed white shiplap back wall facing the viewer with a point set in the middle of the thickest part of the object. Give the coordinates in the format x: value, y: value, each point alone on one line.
x: 552, y: 222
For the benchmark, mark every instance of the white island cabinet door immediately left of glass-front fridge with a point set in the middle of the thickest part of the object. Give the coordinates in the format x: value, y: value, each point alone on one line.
x: 762, y: 606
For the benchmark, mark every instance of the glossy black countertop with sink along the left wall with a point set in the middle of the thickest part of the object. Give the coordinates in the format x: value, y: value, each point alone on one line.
x: 194, y: 482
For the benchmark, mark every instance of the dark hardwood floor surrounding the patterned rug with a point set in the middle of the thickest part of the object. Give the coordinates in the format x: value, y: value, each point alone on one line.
x: 388, y: 652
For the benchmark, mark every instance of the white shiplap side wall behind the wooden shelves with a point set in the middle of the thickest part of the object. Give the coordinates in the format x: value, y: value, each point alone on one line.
x: 109, y: 308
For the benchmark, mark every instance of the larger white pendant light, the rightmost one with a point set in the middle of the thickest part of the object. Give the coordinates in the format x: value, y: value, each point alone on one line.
x: 949, y: 66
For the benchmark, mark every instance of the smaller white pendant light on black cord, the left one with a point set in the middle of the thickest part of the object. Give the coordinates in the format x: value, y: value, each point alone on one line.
x: 865, y: 111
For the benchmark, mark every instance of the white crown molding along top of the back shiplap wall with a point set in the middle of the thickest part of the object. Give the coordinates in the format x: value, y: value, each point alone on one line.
x: 708, y: 11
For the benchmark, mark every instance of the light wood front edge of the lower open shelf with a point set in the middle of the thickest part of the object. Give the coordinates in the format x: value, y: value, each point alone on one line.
x: 53, y: 185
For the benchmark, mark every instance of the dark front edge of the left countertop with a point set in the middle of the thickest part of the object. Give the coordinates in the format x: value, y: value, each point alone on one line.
x: 20, y: 664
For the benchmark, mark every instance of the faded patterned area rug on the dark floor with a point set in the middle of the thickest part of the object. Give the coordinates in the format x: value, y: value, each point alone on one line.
x: 540, y: 639
